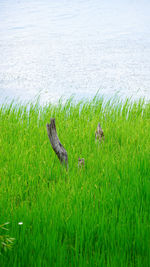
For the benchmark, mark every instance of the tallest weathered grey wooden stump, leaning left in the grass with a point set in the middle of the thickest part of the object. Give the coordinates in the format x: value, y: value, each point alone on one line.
x: 56, y: 145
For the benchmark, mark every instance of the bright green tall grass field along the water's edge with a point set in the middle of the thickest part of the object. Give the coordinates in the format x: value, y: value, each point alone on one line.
x: 93, y: 216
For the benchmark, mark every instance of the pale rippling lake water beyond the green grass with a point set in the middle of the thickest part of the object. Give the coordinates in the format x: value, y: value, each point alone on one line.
x: 64, y: 47
